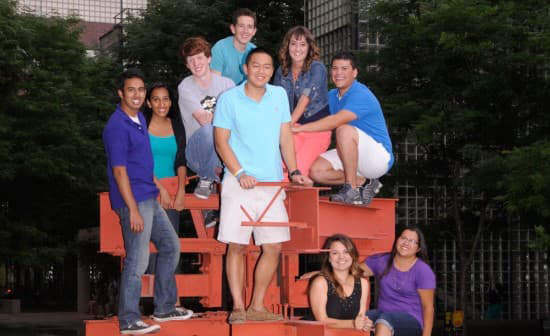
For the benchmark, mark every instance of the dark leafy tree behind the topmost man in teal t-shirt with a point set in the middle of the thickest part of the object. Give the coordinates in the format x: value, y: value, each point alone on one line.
x: 152, y: 39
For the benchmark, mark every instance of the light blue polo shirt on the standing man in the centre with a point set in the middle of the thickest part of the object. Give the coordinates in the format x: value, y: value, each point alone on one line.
x: 255, y: 129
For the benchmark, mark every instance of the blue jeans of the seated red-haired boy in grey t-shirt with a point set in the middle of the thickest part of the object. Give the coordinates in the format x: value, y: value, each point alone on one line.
x: 201, y: 154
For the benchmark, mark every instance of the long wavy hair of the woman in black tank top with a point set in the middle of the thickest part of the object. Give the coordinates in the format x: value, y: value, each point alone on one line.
x: 326, y: 267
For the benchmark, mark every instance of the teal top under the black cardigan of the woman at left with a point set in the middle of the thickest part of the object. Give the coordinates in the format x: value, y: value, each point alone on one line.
x: 164, y: 155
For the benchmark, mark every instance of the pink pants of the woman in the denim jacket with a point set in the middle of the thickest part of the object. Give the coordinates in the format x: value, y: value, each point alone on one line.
x: 308, y: 147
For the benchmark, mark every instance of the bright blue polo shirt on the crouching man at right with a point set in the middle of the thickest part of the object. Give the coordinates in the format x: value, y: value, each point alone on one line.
x: 370, y: 119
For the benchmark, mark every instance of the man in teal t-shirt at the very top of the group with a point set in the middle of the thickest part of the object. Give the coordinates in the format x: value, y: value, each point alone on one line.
x: 229, y: 54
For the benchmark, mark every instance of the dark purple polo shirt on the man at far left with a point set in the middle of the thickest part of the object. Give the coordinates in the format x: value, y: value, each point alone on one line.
x: 127, y: 144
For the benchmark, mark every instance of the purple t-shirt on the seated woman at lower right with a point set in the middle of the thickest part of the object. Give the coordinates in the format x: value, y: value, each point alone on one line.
x: 398, y: 290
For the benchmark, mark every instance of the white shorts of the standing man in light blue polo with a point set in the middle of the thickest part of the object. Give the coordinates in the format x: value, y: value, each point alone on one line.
x: 254, y: 201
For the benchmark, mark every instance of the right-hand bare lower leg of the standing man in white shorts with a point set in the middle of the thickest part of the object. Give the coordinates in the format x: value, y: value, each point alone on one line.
x: 265, y: 269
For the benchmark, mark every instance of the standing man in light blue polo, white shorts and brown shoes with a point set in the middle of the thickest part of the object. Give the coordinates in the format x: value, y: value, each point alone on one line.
x: 252, y: 130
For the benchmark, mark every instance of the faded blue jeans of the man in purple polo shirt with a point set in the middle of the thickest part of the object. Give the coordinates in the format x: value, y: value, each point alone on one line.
x: 158, y: 229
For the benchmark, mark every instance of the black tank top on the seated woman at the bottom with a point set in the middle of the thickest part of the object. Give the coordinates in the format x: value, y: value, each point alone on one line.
x: 343, y: 308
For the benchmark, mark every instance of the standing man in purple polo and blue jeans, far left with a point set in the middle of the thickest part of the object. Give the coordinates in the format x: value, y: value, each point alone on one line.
x: 133, y: 191
